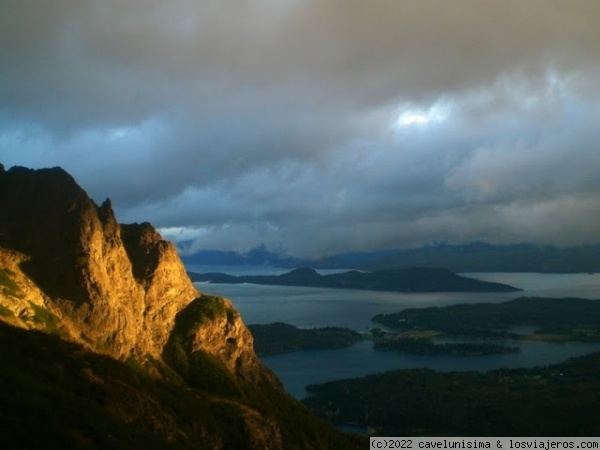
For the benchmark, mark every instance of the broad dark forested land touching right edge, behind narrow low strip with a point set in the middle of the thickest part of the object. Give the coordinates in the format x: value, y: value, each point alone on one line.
x: 565, y: 319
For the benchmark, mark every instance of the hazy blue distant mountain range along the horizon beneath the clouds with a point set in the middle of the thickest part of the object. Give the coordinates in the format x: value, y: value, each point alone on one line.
x: 474, y: 257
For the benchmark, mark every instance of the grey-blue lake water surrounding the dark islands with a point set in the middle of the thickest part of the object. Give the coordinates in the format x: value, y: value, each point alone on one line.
x: 318, y: 307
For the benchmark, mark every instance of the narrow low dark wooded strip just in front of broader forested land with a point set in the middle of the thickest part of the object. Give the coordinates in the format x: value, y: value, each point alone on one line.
x: 423, y: 345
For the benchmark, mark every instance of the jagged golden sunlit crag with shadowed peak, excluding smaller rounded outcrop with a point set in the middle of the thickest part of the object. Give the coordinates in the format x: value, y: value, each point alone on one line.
x: 116, y: 288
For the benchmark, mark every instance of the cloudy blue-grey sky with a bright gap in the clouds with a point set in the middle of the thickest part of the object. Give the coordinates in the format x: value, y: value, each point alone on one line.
x: 314, y: 127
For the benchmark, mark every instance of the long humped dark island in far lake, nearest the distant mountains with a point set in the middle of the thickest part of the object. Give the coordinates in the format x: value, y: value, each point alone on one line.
x: 401, y: 280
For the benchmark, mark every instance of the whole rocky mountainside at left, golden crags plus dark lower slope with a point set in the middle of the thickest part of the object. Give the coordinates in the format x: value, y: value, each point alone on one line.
x: 68, y: 268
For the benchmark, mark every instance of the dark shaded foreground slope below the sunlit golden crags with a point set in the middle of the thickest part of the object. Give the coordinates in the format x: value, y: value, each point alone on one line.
x: 55, y: 392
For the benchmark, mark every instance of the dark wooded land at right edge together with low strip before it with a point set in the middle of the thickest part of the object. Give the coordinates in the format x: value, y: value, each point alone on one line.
x: 416, y: 330
